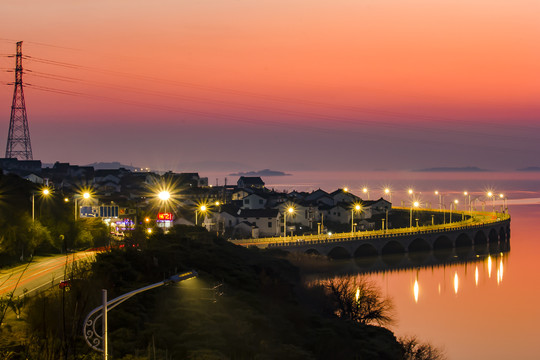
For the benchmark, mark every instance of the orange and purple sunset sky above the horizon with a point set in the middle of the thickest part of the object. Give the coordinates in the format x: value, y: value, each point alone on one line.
x: 287, y: 85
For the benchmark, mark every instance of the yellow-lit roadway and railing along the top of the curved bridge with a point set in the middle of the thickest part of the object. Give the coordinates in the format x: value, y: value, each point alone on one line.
x: 476, y: 219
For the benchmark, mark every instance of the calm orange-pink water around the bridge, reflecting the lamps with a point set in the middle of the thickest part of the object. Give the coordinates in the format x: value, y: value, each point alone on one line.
x: 486, y: 308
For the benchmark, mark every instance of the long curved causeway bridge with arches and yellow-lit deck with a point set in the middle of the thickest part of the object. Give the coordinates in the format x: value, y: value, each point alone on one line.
x: 480, y: 230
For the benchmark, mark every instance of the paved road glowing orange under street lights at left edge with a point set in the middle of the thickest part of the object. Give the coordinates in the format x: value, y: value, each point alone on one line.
x: 40, y: 274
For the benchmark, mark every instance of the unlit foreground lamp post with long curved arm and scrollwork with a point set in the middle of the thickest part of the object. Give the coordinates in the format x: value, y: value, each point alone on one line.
x: 99, y: 342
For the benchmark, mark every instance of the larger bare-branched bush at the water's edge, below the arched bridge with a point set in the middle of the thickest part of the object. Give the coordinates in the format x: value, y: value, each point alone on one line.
x: 357, y: 299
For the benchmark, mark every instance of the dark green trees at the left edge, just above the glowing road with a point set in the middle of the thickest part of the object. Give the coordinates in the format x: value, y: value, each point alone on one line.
x: 53, y: 230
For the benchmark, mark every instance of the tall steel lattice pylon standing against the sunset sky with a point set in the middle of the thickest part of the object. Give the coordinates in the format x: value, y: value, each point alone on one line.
x: 18, y: 144
